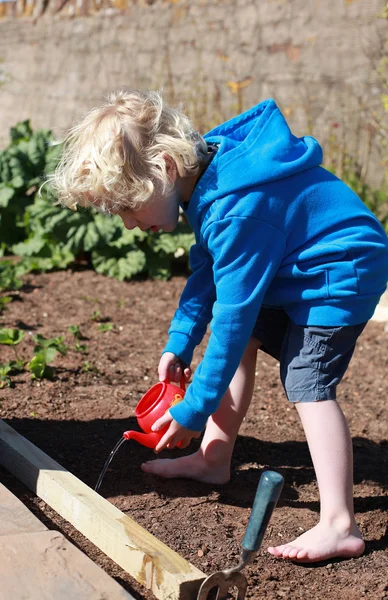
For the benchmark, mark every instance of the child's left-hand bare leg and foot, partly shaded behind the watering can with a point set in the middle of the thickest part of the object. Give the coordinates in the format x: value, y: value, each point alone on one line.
x: 211, y: 463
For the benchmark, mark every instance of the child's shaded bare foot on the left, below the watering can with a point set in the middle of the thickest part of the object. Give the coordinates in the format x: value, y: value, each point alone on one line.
x: 193, y: 466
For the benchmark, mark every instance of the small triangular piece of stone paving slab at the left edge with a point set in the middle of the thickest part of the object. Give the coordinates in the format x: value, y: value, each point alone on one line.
x: 15, y: 517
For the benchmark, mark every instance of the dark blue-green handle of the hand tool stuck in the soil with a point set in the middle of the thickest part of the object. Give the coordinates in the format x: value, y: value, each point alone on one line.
x: 267, y: 495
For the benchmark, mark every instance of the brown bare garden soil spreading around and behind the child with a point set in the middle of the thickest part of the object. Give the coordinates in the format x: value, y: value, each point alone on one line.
x: 79, y: 415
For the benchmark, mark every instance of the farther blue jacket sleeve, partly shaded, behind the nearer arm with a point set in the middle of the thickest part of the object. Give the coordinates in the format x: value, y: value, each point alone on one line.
x: 195, y: 306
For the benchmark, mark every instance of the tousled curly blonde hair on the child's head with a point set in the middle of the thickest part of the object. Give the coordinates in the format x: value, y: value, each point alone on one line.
x: 115, y: 157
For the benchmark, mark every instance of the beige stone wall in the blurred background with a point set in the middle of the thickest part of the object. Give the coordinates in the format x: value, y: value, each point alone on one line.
x: 317, y: 58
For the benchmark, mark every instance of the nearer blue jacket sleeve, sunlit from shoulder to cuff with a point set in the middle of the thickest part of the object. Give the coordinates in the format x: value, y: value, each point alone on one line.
x: 246, y: 255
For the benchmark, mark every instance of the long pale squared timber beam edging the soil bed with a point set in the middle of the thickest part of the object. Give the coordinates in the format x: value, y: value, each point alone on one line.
x: 143, y: 556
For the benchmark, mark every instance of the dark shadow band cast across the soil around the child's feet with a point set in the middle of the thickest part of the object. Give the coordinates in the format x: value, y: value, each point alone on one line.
x: 82, y: 447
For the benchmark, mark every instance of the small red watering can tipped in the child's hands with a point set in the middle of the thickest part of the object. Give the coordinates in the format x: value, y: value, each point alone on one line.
x: 157, y: 401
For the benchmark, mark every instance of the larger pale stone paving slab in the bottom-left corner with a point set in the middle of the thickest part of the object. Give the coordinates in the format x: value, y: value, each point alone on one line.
x: 45, y: 566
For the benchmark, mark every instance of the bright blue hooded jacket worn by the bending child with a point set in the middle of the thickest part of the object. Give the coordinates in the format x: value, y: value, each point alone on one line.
x: 272, y: 227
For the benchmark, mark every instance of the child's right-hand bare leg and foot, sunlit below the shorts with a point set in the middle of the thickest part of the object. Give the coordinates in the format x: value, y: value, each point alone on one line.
x: 330, y: 446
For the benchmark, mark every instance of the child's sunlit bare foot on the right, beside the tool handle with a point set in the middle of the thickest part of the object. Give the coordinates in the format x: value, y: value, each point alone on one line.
x: 321, y: 543
